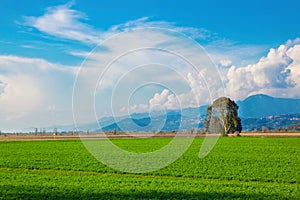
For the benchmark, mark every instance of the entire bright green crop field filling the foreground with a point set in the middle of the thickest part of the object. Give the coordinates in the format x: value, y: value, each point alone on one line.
x: 237, y: 168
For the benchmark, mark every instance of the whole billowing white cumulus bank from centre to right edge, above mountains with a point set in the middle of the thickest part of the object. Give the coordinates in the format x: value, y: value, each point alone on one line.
x: 276, y: 74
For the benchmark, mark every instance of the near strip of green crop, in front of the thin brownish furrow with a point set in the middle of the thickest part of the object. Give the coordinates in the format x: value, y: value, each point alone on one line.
x: 41, y: 184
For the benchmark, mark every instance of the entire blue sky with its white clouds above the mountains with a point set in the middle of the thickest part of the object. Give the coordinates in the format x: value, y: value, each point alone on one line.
x: 254, y: 45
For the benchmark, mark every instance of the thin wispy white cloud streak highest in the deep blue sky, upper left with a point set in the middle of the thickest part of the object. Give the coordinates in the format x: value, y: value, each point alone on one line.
x: 64, y: 22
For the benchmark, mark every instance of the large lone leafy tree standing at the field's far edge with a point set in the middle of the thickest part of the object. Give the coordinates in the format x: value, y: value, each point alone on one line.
x: 222, y: 117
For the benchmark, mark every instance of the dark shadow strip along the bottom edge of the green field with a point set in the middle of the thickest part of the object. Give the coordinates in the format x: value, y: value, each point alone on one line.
x: 12, y: 192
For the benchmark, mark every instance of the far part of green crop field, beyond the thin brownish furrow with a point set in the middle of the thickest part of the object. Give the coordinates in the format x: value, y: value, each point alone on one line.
x: 246, y: 159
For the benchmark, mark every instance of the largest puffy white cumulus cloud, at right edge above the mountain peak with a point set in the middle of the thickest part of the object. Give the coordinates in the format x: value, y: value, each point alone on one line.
x: 275, y: 74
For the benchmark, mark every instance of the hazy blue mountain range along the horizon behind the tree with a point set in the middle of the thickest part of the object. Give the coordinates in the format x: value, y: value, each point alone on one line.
x: 255, y: 111
